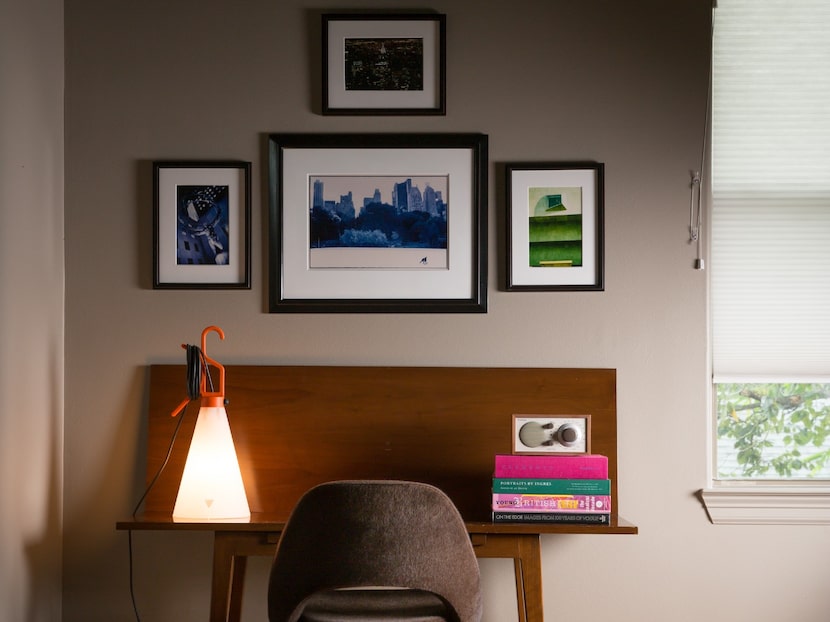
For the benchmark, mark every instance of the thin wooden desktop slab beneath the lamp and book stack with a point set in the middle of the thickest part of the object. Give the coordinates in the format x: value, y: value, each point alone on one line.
x: 265, y: 523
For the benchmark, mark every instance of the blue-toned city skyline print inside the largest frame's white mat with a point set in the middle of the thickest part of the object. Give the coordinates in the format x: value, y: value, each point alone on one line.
x: 388, y: 221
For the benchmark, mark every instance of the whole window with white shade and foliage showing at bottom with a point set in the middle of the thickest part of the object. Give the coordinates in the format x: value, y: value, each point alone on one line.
x: 770, y: 241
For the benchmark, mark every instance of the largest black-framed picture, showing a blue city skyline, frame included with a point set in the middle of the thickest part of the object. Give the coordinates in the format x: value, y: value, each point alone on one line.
x: 365, y: 223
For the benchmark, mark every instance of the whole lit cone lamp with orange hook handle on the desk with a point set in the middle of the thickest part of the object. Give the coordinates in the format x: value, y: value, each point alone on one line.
x: 211, y: 489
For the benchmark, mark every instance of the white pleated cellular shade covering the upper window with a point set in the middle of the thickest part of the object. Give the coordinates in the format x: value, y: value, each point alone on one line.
x: 770, y: 215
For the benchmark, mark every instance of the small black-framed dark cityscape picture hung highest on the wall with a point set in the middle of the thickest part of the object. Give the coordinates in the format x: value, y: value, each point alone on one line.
x: 384, y: 64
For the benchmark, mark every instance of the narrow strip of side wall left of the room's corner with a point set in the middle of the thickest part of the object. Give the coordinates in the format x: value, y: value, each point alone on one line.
x: 31, y: 308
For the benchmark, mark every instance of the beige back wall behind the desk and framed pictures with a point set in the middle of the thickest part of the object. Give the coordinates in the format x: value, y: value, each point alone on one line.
x: 619, y: 82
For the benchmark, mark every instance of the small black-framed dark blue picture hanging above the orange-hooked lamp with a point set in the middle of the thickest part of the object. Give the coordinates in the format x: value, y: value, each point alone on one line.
x: 202, y: 225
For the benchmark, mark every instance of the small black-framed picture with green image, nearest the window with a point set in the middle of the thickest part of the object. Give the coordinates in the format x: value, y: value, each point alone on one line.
x: 555, y: 226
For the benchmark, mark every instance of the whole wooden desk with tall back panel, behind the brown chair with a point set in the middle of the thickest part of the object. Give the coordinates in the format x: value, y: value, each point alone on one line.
x: 295, y: 427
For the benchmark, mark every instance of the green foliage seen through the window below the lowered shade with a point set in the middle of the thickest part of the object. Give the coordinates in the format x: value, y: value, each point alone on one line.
x: 779, y: 430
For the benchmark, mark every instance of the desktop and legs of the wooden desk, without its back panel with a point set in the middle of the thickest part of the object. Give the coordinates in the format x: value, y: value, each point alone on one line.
x: 233, y: 543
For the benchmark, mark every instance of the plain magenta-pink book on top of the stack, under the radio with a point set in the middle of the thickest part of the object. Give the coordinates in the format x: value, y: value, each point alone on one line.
x: 585, y: 466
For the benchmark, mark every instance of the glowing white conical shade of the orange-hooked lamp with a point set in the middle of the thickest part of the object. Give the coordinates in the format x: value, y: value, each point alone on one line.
x: 211, y: 488
